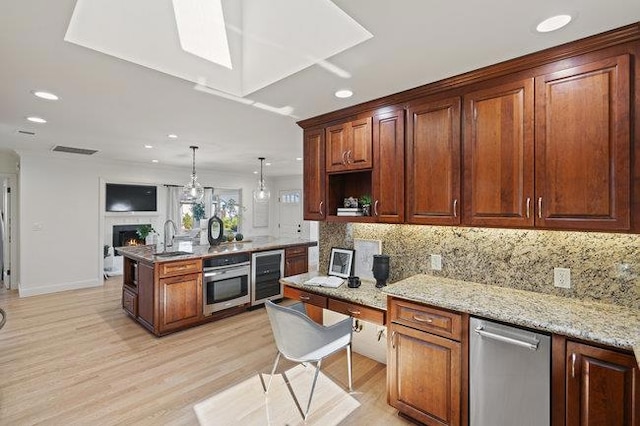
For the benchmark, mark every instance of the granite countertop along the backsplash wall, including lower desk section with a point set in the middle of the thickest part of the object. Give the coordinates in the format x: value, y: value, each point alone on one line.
x: 607, y: 324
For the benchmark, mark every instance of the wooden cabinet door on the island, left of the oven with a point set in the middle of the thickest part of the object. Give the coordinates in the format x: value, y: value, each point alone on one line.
x: 180, y: 301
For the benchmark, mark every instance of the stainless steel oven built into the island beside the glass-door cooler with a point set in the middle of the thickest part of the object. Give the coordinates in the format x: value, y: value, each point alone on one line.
x: 226, y: 282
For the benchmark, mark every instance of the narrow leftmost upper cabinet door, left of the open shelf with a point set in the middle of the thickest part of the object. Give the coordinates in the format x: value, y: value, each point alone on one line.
x: 314, y: 175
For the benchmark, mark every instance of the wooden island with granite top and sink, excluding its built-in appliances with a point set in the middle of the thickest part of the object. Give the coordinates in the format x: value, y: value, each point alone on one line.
x: 164, y: 291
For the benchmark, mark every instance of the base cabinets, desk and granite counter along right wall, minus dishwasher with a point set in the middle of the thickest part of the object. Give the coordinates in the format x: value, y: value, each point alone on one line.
x: 594, y: 372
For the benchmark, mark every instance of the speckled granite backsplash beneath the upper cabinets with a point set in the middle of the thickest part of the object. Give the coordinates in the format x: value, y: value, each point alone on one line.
x: 604, y: 266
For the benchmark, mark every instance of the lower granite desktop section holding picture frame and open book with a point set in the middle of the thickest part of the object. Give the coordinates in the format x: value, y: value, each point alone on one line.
x: 367, y: 294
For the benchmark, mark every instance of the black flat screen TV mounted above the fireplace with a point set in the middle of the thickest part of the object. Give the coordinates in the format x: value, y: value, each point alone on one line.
x: 131, y: 198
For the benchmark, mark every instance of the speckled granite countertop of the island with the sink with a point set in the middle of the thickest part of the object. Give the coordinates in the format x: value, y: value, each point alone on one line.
x: 146, y: 253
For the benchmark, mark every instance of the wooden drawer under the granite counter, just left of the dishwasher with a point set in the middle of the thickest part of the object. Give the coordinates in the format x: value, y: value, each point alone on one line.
x: 432, y: 320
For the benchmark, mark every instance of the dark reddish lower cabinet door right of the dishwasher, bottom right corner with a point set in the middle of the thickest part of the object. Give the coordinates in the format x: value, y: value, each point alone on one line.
x: 602, y: 387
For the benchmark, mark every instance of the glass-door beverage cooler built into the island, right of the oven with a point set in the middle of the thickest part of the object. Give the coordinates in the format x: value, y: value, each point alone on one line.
x: 267, y: 269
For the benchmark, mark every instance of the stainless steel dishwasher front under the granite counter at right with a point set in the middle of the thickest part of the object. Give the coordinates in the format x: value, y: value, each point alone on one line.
x: 510, y: 375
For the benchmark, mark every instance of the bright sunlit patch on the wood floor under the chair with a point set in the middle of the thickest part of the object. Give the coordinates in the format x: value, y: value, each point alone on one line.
x: 247, y: 404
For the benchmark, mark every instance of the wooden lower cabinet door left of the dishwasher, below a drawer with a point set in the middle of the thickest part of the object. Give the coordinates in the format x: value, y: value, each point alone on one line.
x: 424, y: 376
